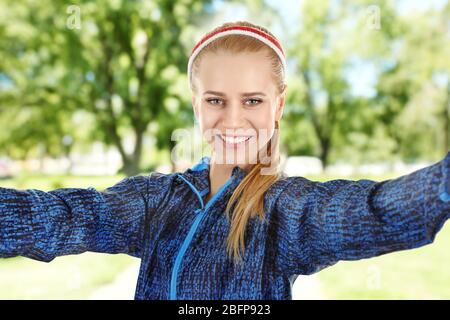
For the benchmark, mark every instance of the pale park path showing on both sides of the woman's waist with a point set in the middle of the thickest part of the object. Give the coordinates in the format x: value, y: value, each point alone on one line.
x: 124, y: 285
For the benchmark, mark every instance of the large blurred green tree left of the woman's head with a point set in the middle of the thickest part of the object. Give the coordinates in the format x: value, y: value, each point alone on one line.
x: 121, y: 61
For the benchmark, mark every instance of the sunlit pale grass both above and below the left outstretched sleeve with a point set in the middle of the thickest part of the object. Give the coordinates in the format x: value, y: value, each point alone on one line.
x: 66, y: 277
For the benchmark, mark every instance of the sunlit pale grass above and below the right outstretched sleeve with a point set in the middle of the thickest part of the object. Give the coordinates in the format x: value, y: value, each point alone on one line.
x: 421, y: 273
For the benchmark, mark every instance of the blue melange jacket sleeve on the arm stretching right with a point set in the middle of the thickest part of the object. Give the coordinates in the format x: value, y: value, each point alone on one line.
x: 325, y: 222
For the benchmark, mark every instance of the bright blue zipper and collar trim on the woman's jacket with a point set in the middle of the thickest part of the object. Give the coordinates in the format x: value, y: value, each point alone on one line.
x: 200, y: 213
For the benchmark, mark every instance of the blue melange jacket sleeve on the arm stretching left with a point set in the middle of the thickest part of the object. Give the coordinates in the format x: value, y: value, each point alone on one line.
x: 43, y: 225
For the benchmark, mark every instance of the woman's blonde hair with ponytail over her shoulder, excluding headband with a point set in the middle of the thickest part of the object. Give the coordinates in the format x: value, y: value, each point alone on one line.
x: 247, y: 200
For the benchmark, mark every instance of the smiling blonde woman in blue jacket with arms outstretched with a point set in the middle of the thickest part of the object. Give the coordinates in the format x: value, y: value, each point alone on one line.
x: 232, y: 226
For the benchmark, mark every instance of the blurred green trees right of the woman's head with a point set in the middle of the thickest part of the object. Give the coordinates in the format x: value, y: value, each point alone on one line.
x: 406, y: 52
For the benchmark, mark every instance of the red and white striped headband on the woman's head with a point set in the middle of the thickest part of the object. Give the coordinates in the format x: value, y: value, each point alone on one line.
x: 242, y: 30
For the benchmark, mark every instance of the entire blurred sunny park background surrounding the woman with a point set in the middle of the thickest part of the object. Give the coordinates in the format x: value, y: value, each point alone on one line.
x: 91, y: 92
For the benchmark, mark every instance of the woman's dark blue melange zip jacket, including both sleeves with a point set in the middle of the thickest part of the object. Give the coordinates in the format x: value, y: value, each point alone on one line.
x: 164, y: 220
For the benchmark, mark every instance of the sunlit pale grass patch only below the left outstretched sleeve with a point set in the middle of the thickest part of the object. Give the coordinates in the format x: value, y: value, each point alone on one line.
x: 66, y: 277
